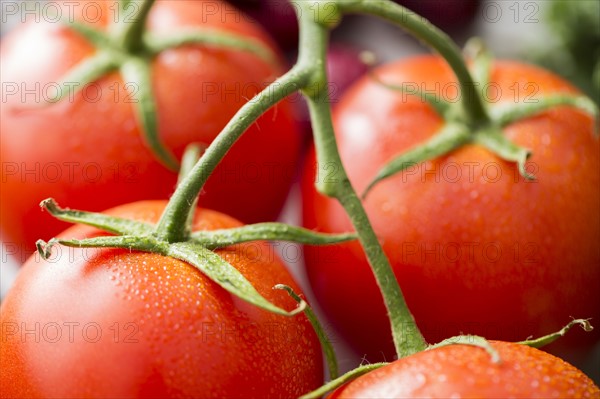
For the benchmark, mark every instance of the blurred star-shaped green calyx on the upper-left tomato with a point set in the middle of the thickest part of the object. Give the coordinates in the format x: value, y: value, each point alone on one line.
x: 126, y: 47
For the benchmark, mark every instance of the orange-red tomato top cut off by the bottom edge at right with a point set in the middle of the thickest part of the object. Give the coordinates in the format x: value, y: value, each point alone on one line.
x: 468, y: 372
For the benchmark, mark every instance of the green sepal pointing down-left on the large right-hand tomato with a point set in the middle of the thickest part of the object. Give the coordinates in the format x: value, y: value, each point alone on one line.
x: 449, y: 137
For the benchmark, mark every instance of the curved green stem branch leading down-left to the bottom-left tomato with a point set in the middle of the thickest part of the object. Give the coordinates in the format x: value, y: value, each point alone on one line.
x: 171, y: 226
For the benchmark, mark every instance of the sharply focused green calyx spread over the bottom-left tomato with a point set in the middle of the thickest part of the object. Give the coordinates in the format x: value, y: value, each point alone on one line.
x: 197, y: 249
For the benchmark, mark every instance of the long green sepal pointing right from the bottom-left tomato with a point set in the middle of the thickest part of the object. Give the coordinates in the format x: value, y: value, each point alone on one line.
x: 267, y: 232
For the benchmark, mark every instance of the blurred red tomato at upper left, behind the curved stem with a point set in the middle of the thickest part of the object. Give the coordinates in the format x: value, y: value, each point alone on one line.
x: 88, y: 151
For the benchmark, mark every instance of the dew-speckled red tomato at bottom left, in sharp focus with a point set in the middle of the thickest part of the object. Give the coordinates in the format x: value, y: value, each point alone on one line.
x: 167, y: 330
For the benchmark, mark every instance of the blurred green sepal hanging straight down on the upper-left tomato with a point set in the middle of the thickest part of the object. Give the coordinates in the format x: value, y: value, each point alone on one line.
x: 136, y: 72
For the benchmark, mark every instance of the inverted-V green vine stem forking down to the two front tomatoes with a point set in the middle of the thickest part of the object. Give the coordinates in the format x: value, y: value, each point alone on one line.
x: 310, y: 76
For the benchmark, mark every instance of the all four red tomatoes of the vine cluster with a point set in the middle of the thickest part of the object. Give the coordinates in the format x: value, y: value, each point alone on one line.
x: 476, y: 247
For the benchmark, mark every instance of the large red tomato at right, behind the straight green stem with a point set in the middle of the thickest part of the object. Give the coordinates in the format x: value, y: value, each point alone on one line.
x: 476, y: 249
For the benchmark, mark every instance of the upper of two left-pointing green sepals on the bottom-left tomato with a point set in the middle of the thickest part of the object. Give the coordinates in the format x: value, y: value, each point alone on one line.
x: 104, y: 222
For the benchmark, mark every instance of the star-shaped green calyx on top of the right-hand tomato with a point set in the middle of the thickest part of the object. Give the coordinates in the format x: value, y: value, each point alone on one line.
x: 460, y: 129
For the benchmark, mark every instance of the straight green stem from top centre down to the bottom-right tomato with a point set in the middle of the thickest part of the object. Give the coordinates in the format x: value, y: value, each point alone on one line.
x: 313, y: 47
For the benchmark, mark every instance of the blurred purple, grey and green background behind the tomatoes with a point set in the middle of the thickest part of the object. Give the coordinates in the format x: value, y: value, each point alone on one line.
x: 563, y: 36
